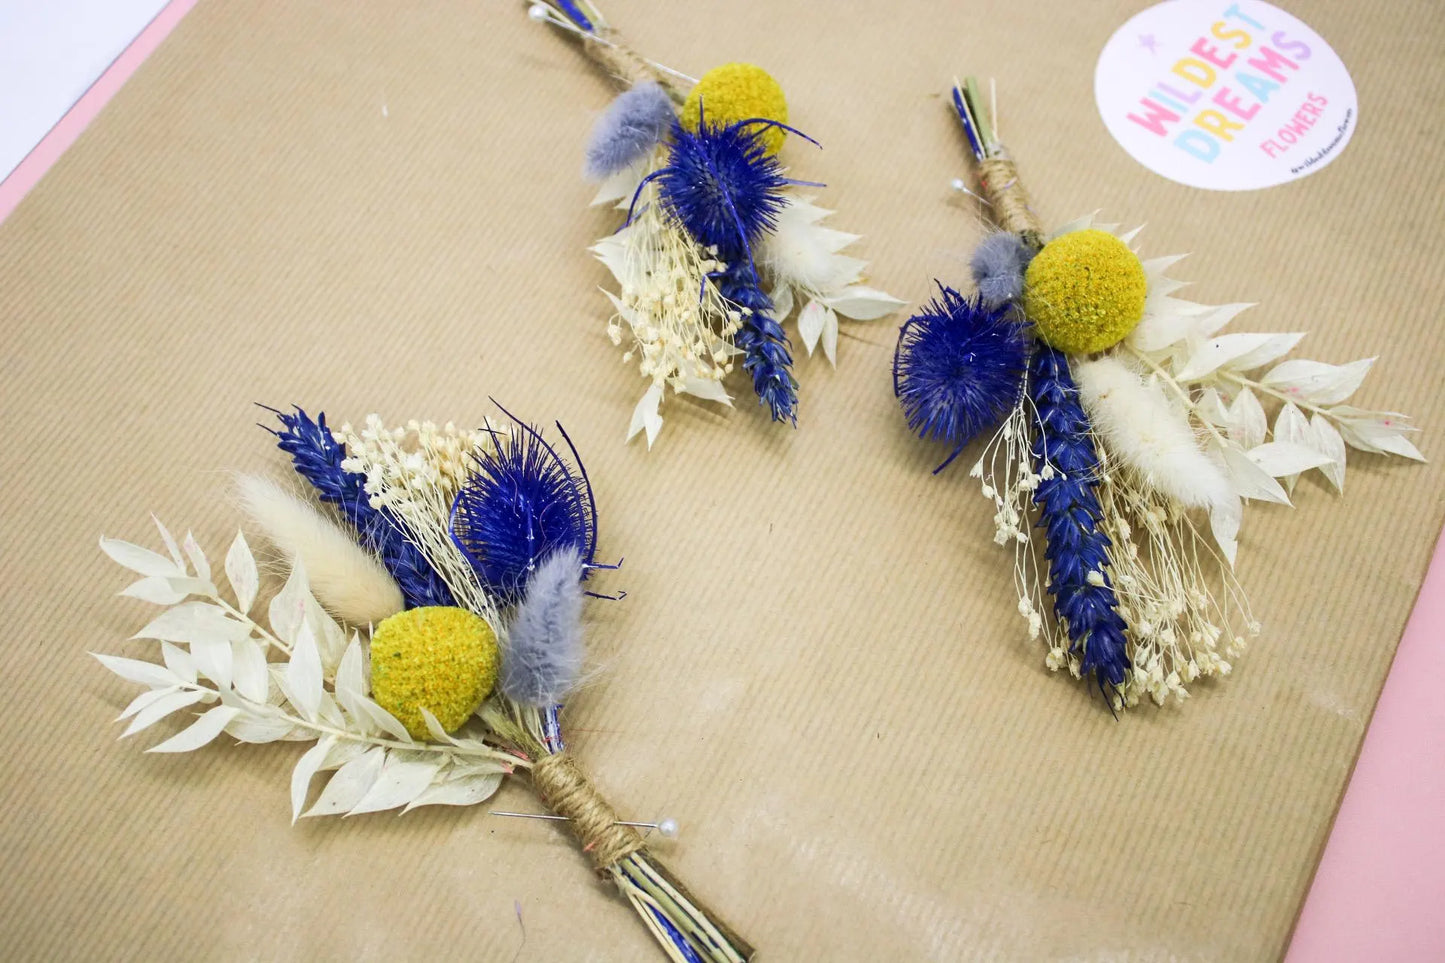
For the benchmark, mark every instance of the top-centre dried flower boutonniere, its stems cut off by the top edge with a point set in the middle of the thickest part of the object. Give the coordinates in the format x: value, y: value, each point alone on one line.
x: 716, y: 252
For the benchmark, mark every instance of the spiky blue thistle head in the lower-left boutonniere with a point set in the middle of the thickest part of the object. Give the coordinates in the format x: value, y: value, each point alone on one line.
x: 522, y: 504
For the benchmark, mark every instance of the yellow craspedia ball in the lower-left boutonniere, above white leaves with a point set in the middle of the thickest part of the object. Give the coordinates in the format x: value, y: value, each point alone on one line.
x: 439, y: 657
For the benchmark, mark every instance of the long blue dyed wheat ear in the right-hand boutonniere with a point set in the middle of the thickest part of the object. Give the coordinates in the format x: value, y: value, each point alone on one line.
x: 1070, y: 515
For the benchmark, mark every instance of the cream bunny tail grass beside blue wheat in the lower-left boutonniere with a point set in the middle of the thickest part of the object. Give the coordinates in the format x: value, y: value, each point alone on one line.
x: 346, y: 579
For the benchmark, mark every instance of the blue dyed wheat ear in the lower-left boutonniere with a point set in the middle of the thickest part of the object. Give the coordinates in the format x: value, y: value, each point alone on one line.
x: 317, y: 458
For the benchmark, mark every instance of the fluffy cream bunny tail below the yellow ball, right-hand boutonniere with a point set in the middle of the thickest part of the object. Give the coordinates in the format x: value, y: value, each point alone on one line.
x: 1149, y: 435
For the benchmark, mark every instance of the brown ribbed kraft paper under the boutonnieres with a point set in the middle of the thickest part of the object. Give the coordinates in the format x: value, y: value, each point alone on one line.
x: 817, y: 670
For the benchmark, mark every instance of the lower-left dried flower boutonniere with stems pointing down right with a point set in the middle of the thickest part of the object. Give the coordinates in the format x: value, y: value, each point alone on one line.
x: 424, y: 643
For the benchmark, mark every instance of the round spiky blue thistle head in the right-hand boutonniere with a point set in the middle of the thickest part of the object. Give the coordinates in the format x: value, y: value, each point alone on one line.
x: 959, y: 368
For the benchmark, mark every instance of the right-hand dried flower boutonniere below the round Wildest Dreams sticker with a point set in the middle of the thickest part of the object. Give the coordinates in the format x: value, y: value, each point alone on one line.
x: 1126, y: 435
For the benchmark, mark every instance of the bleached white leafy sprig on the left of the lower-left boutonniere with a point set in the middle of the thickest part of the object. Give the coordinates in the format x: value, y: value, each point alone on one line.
x: 215, y: 654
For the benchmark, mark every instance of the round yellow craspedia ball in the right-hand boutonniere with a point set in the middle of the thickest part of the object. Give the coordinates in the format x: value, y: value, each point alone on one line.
x: 1084, y: 291
